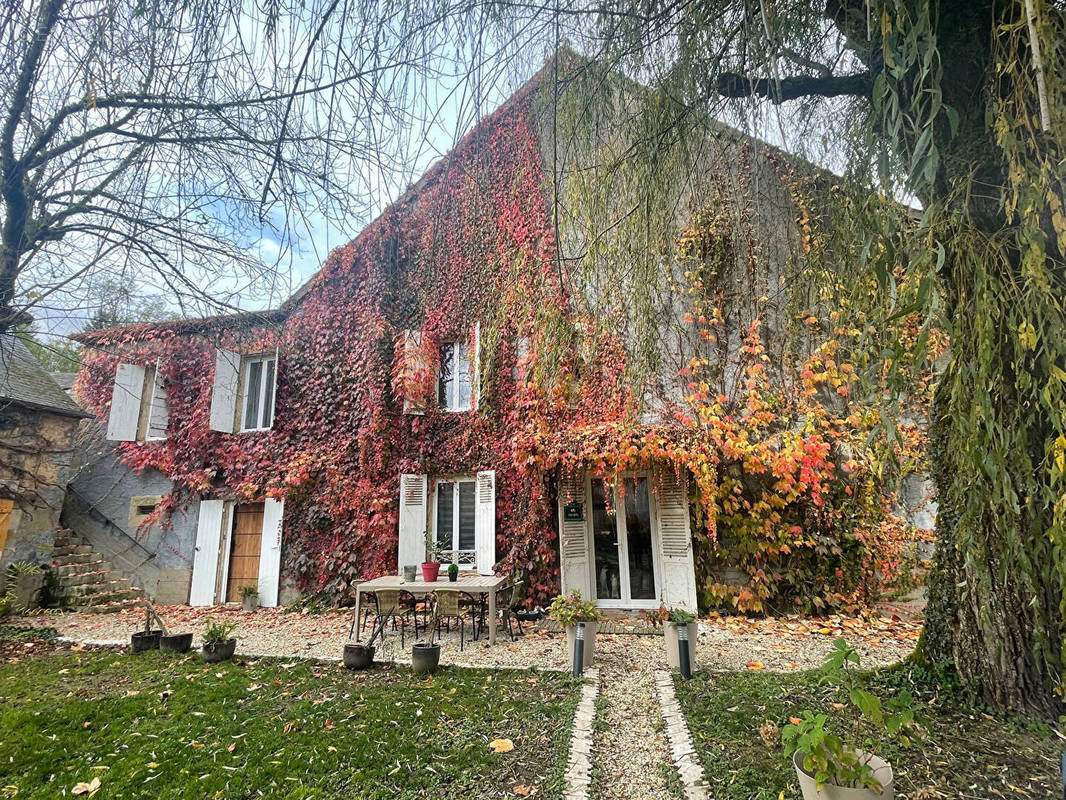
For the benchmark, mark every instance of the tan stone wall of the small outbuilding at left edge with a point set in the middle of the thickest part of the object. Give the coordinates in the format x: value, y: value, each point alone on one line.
x: 36, y: 453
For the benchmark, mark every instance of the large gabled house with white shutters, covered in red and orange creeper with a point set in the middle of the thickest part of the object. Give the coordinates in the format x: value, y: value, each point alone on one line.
x: 505, y: 367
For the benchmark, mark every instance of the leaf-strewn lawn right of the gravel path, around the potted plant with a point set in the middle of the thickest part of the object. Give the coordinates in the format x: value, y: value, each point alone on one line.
x: 965, y: 754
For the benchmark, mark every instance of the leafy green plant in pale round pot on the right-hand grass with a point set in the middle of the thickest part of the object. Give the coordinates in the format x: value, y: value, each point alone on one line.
x: 829, y: 769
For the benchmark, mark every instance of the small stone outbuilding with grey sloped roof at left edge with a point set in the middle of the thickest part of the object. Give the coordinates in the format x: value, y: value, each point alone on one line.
x: 39, y: 425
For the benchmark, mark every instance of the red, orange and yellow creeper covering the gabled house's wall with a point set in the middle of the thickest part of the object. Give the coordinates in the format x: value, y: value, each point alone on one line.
x: 643, y: 342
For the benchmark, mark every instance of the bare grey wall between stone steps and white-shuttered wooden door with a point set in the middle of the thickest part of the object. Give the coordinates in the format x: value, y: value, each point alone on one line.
x: 107, y: 502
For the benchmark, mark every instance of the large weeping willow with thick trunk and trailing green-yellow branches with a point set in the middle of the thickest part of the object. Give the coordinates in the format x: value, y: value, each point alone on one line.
x: 962, y: 105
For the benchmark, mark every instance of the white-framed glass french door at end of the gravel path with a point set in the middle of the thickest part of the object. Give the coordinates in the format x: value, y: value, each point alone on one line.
x: 625, y: 564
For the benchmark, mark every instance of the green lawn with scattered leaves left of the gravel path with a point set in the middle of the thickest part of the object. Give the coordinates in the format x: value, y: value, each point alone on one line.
x: 157, y: 727
